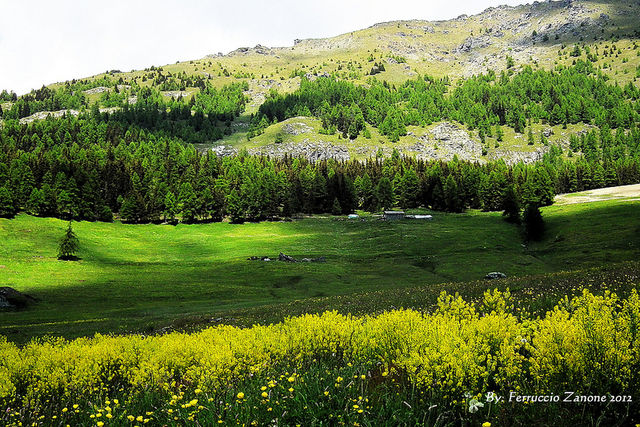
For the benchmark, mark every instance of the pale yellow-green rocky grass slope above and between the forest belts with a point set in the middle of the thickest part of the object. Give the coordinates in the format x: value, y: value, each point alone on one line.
x: 542, y: 35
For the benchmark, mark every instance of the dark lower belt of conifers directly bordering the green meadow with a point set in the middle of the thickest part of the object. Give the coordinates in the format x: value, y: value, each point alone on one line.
x: 93, y: 166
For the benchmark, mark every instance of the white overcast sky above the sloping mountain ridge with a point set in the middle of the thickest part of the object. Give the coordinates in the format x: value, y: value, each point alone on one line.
x: 45, y: 41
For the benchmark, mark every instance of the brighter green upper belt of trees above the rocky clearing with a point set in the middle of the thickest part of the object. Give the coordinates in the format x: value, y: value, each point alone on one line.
x: 567, y: 95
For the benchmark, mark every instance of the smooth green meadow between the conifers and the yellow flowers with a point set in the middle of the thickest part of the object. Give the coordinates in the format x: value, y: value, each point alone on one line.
x: 144, y: 277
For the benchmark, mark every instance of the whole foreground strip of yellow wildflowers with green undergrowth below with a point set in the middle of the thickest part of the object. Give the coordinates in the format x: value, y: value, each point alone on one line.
x: 400, y: 367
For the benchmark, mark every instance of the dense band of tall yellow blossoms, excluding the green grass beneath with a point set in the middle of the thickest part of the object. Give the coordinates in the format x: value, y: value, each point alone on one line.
x: 589, y: 343
